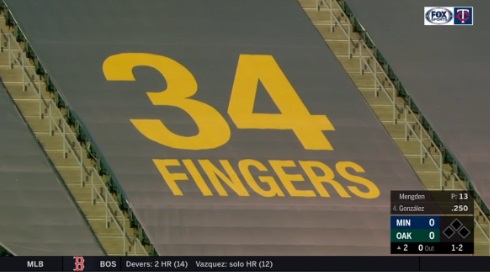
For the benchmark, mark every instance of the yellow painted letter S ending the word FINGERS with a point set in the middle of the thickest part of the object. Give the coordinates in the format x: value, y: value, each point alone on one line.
x: 372, y: 192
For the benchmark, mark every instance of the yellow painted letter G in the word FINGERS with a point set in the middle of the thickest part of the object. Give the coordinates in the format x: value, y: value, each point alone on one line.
x: 244, y: 166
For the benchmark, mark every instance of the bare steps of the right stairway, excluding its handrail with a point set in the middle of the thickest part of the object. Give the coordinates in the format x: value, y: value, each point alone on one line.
x: 337, y: 40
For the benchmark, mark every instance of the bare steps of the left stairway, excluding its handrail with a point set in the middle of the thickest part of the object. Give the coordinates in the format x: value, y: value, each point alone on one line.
x: 66, y: 163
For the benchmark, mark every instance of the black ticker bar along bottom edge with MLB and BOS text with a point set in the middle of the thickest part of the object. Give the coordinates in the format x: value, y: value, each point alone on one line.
x: 386, y: 263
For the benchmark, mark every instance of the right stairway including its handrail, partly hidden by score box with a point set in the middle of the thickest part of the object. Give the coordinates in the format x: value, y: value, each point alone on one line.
x: 378, y: 90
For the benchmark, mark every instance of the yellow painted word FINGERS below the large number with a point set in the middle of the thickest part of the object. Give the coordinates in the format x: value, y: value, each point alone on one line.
x: 273, y: 178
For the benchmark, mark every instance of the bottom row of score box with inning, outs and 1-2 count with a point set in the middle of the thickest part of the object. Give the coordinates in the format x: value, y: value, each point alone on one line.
x: 432, y: 248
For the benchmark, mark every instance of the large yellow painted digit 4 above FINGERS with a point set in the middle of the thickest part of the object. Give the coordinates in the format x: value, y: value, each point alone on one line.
x: 293, y: 113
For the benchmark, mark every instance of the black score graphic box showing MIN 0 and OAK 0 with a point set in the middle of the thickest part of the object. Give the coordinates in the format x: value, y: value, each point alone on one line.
x: 432, y: 222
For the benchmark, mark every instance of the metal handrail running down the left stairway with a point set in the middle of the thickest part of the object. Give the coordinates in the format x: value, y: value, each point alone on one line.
x: 72, y: 146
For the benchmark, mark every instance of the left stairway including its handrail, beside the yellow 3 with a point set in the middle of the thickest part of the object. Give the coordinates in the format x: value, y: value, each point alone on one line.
x: 61, y: 146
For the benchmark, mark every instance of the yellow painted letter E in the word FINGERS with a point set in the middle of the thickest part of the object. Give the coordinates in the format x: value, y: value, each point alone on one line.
x: 288, y: 179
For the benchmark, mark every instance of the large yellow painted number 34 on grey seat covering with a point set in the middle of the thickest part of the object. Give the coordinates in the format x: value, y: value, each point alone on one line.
x: 214, y: 131
